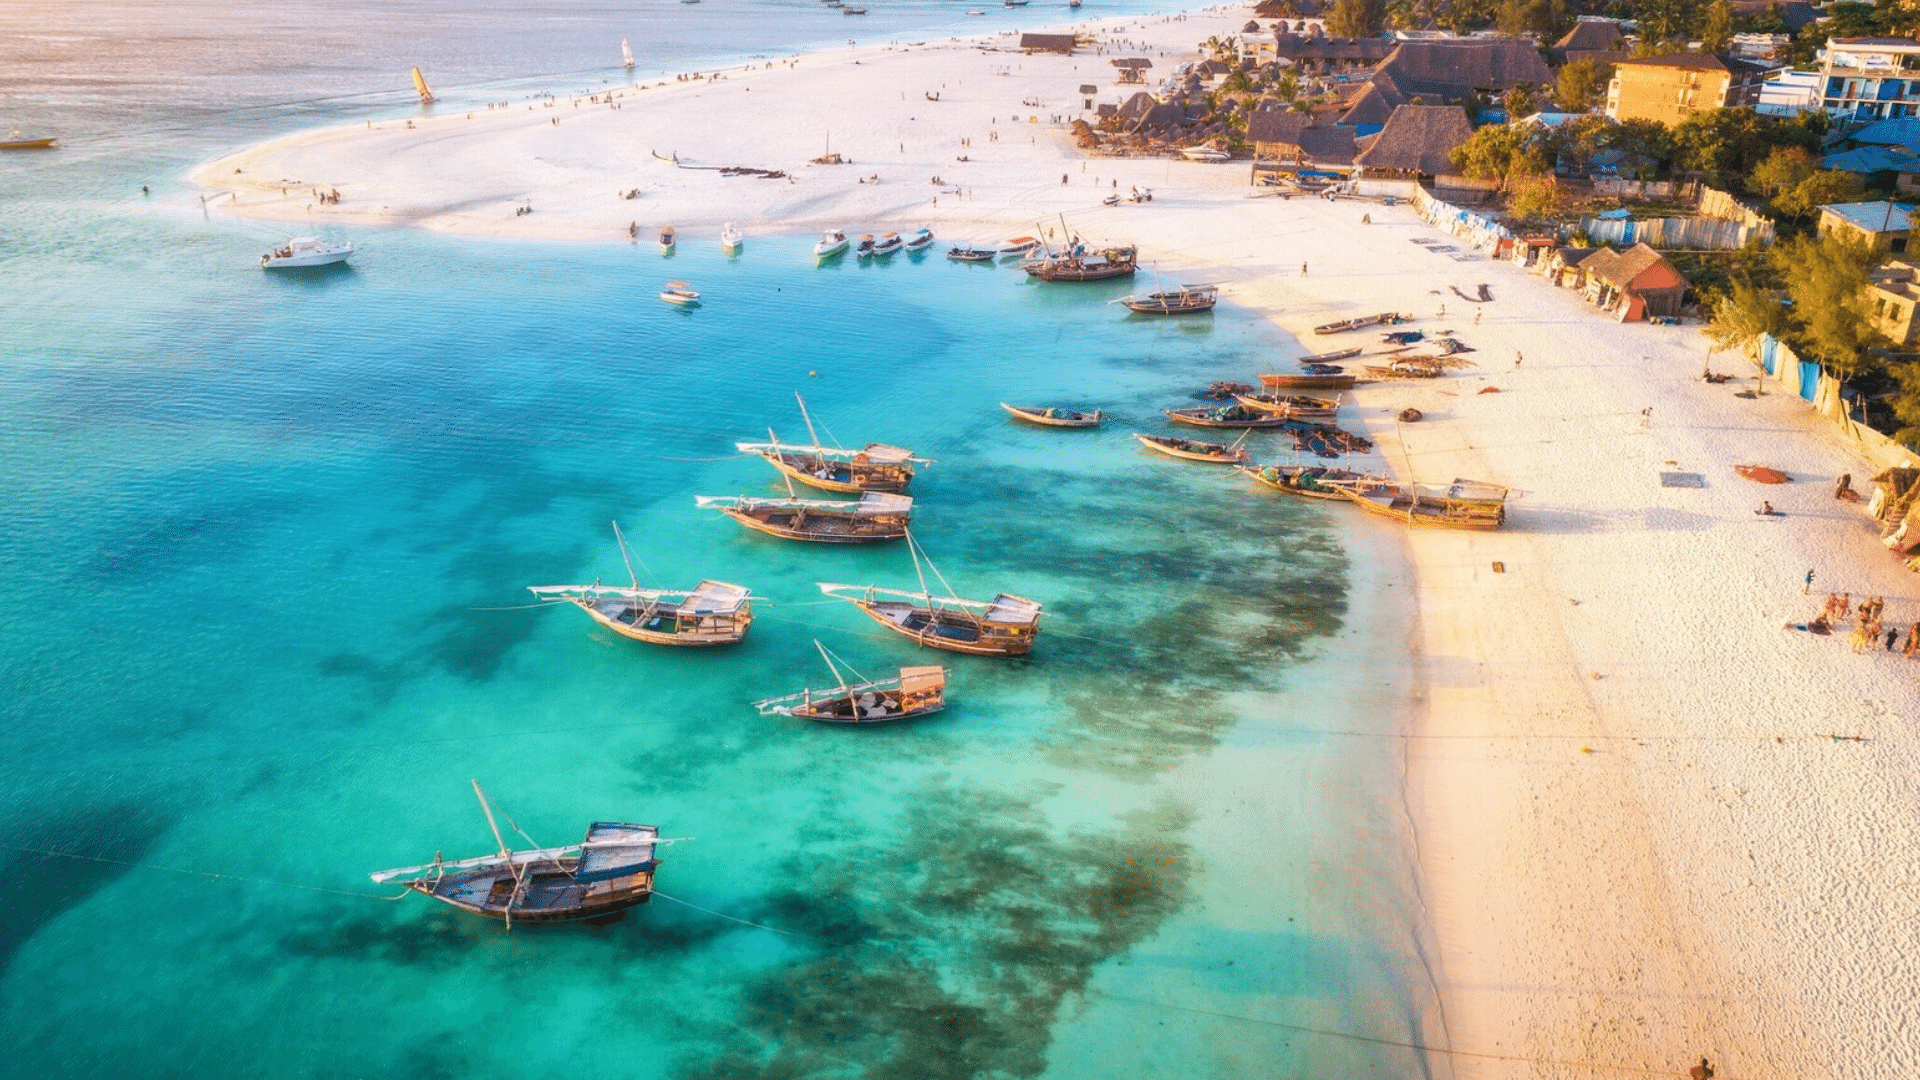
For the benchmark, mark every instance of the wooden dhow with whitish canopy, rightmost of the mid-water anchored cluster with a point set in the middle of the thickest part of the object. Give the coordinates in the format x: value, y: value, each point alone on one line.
x: 1003, y: 626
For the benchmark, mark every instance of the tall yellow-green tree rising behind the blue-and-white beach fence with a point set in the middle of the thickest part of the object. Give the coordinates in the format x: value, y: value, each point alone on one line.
x: 1827, y: 278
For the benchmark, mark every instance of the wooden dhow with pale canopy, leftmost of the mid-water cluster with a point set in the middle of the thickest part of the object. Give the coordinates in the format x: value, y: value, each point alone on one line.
x: 711, y: 614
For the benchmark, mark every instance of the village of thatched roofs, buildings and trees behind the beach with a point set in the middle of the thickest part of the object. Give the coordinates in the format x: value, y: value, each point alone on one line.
x: 1744, y: 168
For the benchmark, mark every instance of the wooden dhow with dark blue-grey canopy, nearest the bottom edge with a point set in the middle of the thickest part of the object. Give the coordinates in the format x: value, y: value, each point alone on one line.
x: 606, y: 873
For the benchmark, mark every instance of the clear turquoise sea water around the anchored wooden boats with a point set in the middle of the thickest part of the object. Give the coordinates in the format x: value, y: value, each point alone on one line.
x: 266, y: 541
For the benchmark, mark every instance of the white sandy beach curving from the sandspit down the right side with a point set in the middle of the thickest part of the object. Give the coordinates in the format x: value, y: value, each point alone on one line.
x: 1639, y: 841
